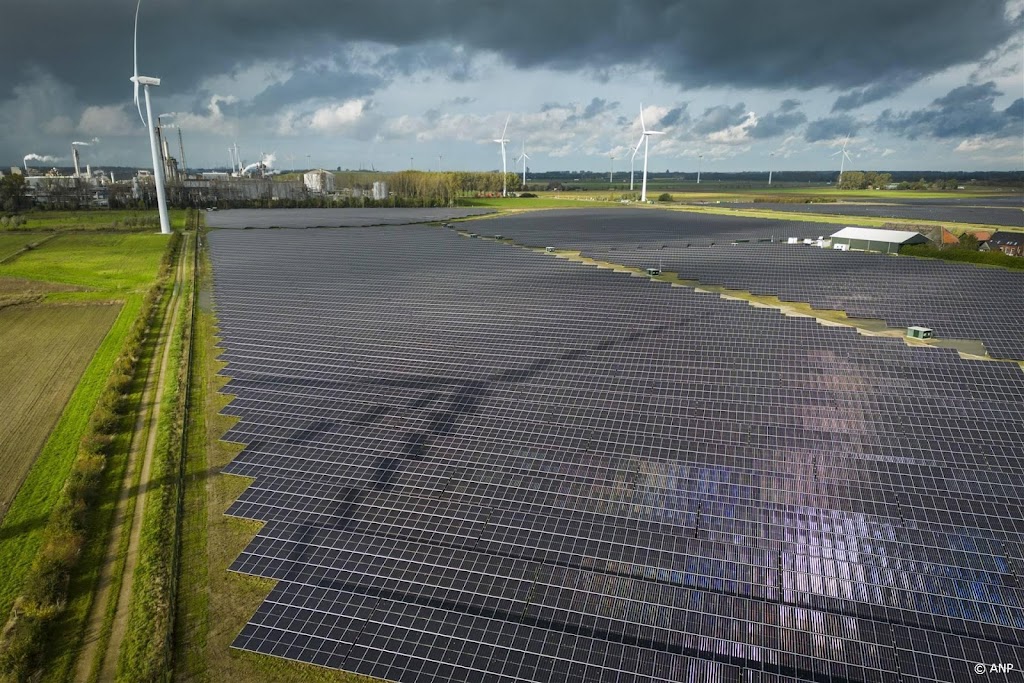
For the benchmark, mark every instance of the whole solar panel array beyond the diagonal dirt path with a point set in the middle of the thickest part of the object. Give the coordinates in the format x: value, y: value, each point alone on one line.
x: 959, y: 302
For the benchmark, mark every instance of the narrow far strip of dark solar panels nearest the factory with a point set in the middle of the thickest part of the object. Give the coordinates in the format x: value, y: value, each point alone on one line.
x: 242, y: 219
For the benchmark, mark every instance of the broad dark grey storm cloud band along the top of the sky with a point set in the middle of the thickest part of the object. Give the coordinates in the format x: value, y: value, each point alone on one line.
x: 695, y: 44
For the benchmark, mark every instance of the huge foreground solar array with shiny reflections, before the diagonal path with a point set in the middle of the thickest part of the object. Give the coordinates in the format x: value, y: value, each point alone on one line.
x: 478, y: 463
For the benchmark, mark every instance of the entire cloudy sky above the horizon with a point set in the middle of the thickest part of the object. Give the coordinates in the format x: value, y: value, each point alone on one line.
x: 917, y: 84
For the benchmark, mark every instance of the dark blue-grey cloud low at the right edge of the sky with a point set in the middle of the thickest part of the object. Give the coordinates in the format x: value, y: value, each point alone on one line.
x: 964, y: 112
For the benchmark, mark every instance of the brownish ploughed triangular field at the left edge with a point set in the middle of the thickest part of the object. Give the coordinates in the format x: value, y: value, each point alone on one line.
x: 46, y: 351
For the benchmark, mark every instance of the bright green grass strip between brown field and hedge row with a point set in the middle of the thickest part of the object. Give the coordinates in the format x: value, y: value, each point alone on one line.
x: 21, y: 532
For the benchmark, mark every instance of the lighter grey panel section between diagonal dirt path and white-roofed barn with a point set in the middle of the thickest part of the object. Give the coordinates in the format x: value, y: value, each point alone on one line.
x: 959, y: 302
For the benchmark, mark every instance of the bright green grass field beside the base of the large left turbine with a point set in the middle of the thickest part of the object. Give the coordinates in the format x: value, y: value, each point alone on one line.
x: 110, y: 265
